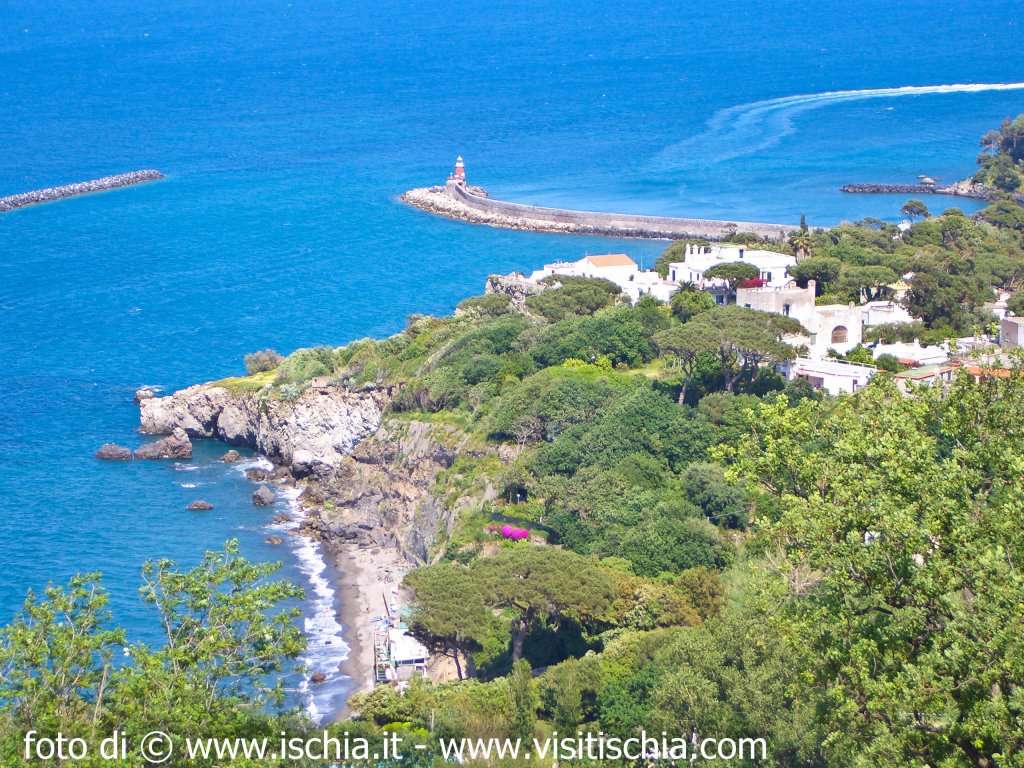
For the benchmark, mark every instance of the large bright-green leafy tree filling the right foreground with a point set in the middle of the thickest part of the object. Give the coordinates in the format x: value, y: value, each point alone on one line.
x: 894, y: 563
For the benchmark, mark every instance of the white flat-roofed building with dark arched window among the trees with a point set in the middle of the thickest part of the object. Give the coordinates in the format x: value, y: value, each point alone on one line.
x: 838, y: 327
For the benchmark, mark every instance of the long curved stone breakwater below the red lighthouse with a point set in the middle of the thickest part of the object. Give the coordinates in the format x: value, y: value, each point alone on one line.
x: 455, y: 202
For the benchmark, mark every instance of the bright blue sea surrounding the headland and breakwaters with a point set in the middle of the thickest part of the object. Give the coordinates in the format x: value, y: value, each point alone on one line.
x: 287, y: 131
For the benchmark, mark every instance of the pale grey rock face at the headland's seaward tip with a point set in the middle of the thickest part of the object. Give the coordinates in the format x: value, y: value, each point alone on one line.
x: 311, y: 435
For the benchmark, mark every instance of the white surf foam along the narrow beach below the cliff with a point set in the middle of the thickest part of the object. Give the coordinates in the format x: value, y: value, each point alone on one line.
x: 326, y: 648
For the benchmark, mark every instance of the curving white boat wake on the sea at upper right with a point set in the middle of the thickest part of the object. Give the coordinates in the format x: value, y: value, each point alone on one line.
x: 746, y: 130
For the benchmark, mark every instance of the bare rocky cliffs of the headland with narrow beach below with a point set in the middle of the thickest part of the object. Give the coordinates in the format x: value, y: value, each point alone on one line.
x: 368, y: 481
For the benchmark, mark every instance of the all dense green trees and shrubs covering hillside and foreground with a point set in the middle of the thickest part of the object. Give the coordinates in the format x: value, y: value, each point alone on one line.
x: 714, y: 551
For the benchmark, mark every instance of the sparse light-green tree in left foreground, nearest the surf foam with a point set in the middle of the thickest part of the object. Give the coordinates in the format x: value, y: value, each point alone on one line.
x: 223, y: 646
